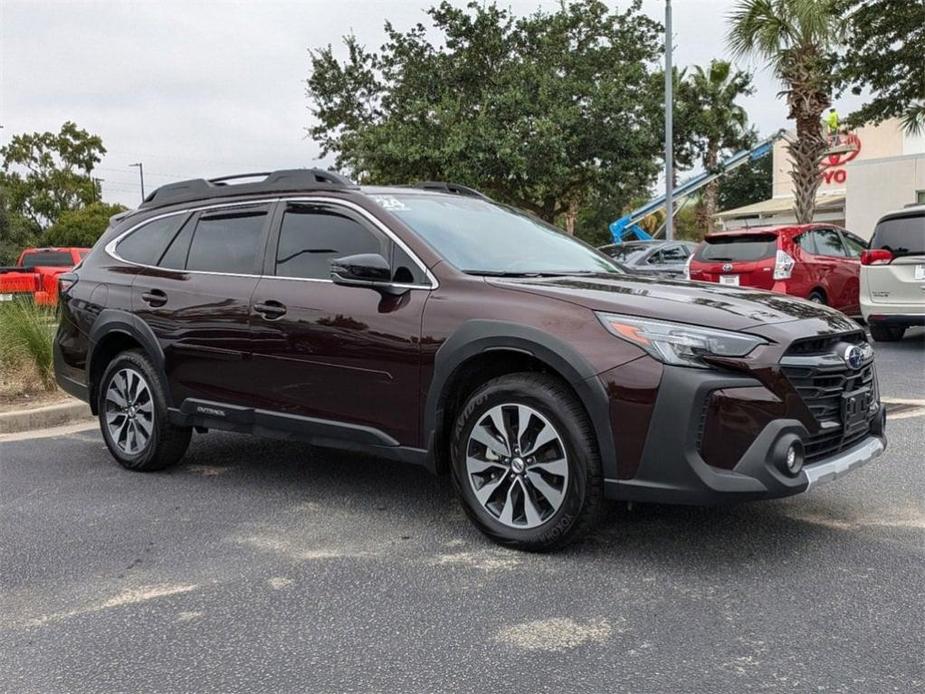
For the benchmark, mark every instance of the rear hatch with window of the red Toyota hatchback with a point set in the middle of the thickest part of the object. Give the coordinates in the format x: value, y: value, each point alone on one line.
x: 745, y: 260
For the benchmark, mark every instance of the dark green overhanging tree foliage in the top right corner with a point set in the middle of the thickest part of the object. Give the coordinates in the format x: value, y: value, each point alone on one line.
x: 885, y: 52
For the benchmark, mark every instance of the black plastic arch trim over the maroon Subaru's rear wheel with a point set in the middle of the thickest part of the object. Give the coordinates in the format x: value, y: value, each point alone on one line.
x: 115, y: 331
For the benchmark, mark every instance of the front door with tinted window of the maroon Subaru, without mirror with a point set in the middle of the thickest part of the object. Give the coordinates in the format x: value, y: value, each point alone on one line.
x: 343, y: 354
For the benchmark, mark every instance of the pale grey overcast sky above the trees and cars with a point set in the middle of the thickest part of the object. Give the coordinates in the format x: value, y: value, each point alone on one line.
x: 204, y: 88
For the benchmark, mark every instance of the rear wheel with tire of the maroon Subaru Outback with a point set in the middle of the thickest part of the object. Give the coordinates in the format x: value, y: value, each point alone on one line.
x: 133, y: 415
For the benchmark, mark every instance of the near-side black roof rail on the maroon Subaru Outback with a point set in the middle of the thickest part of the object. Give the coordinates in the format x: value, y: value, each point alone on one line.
x: 283, y: 181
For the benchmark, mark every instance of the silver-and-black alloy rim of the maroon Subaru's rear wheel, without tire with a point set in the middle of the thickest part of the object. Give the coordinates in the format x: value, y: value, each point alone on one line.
x: 129, y: 410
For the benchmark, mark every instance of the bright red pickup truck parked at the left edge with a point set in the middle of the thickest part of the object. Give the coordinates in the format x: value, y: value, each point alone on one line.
x: 36, y: 274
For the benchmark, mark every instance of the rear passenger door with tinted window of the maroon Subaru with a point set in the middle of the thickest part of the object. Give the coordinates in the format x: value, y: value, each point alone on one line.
x: 196, y: 296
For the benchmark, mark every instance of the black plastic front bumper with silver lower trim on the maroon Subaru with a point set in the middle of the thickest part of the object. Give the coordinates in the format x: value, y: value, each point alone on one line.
x: 673, y: 470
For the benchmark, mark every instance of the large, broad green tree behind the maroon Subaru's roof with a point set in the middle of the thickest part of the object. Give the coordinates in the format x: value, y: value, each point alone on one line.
x: 545, y: 112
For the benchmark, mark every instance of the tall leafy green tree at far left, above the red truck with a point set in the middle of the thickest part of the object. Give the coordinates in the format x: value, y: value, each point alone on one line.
x: 48, y: 173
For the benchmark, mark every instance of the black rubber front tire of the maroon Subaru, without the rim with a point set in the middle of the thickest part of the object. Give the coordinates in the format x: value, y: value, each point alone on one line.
x: 582, y: 501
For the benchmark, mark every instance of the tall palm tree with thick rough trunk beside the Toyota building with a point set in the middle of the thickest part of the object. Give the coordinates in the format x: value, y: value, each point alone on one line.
x: 797, y: 38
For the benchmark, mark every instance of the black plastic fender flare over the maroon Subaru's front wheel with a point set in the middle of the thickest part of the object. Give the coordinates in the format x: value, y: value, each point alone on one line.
x: 478, y: 336
